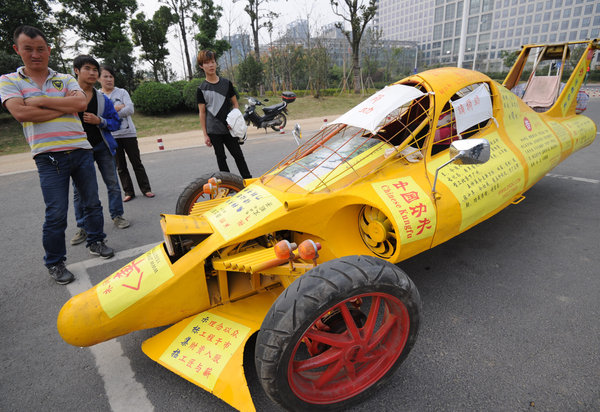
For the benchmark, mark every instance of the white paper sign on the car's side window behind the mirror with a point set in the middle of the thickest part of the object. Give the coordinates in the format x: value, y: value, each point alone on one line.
x: 472, y: 109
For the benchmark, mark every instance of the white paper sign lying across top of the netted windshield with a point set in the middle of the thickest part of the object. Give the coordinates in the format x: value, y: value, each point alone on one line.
x: 370, y: 113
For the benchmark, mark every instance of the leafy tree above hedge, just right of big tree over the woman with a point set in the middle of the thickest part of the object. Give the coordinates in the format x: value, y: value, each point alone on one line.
x: 151, y: 35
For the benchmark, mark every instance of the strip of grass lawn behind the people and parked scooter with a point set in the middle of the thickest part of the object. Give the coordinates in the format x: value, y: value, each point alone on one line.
x: 12, y: 140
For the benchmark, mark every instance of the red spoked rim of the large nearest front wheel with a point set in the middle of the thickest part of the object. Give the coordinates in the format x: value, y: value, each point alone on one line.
x: 328, y: 367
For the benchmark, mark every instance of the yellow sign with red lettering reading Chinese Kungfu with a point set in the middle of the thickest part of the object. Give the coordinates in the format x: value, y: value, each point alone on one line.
x: 411, y: 208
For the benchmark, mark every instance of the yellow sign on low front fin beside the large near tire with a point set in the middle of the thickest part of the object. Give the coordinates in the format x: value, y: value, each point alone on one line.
x: 203, y: 348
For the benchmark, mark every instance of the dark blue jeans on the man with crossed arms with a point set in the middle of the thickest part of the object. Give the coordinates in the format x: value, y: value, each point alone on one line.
x: 55, y: 170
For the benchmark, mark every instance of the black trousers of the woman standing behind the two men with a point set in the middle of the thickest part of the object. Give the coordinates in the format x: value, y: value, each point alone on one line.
x: 130, y: 146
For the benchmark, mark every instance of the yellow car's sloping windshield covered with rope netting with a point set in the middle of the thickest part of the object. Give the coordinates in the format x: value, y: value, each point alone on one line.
x: 342, y: 153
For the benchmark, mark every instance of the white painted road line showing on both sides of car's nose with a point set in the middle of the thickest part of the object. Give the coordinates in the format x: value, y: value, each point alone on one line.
x: 124, y: 392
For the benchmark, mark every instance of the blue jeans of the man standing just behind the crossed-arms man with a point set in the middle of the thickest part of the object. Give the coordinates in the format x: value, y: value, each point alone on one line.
x: 106, y: 164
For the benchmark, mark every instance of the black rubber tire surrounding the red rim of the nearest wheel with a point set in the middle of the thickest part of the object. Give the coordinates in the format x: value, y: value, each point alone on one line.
x: 307, y: 298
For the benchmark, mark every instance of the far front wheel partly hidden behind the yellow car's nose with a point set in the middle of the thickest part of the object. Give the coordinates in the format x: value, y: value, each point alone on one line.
x: 194, y: 192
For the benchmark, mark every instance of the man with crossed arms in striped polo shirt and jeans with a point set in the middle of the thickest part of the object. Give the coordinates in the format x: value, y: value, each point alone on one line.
x: 46, y: 104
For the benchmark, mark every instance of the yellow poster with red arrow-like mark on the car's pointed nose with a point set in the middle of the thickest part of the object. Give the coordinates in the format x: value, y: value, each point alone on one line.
x: 134, y: 281
